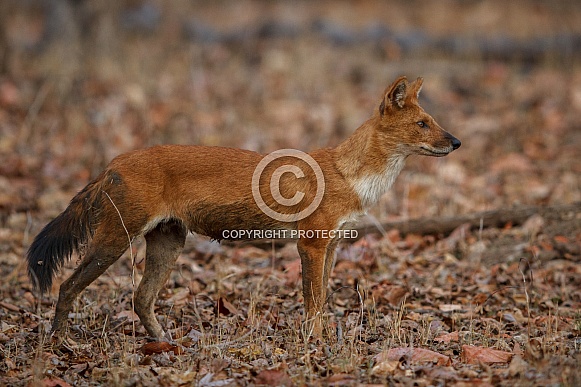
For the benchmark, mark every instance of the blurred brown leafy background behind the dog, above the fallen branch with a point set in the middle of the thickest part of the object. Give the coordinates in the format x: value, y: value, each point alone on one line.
x: 83, y: 81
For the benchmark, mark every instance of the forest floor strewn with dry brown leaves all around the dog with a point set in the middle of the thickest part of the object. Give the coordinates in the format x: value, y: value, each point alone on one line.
x: 494, y: 305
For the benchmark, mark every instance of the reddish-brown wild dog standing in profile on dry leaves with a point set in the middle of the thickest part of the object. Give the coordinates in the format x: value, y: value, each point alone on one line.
x: 164, y: 192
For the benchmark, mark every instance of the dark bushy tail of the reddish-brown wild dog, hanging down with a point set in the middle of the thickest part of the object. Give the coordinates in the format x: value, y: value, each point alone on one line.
x: 65, y: 234
